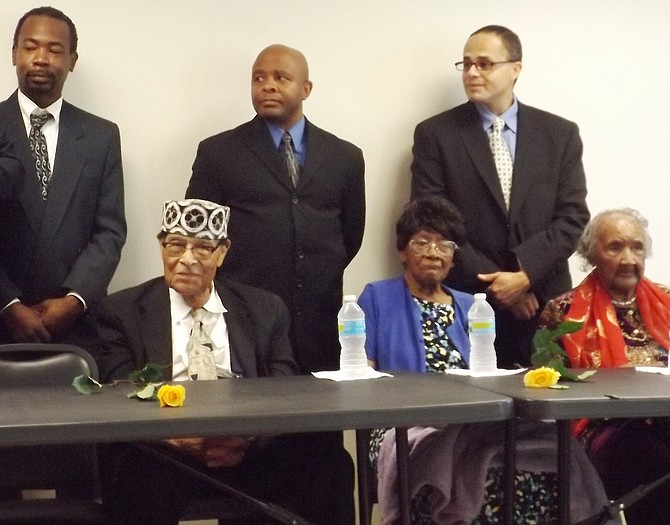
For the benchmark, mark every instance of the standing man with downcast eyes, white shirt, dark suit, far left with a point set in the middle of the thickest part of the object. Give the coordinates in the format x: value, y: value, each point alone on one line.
x: 62, y: 235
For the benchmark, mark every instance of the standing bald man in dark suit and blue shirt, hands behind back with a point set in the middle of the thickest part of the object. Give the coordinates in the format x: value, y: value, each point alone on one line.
x: 297, y: 233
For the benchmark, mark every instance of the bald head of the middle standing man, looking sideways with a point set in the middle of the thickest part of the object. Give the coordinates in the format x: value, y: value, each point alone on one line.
x: 279, y: 84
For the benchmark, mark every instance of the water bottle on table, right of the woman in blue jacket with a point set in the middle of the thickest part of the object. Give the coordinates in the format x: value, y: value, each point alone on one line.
x: 482, y: 329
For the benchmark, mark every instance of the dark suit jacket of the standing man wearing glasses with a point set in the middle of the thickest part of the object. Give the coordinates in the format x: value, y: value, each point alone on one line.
x: 548, y: 211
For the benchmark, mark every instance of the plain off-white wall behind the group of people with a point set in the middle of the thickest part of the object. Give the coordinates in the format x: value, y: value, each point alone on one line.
x: 171, y: 73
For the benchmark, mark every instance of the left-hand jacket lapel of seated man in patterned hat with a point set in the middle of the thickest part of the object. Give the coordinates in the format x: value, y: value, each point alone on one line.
x: 156, y: 325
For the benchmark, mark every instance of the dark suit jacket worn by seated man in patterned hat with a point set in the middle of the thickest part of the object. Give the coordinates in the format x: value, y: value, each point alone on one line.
x: 134, y: 328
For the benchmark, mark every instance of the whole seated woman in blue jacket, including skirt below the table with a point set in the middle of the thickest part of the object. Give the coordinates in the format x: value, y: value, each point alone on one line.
x: 415, y: 323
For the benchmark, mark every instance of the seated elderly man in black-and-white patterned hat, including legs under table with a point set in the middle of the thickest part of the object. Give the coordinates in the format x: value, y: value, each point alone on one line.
x: 207, y: 329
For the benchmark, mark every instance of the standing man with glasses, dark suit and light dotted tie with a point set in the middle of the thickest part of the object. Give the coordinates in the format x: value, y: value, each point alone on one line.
x: 523, y: 221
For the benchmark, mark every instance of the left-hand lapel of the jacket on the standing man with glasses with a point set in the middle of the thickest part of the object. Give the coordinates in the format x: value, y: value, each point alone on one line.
x: 477, y: 145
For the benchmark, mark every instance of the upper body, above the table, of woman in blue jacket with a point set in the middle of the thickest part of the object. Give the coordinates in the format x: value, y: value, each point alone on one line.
x: 414, y: 322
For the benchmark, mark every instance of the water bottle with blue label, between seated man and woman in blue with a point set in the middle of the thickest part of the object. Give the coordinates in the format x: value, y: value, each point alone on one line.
x: 351, y: 327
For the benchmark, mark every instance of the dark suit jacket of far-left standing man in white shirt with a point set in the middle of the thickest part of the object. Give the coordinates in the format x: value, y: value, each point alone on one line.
x: 73, y: 240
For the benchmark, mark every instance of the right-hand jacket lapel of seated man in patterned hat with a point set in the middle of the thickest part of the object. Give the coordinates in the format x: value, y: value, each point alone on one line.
x: 240, y: 330
